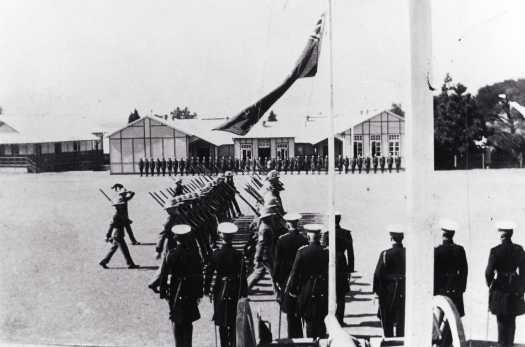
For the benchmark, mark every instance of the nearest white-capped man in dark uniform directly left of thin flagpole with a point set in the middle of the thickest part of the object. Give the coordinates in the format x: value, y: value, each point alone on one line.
x: 308, y: 282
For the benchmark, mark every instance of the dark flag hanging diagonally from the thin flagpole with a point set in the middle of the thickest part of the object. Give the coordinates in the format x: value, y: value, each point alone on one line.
x: 306, y: 66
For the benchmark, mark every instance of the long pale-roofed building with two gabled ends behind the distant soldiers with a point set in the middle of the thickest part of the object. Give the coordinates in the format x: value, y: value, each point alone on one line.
x: 154, y: 137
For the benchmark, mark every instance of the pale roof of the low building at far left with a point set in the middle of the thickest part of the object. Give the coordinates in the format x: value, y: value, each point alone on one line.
x: 42, y: 129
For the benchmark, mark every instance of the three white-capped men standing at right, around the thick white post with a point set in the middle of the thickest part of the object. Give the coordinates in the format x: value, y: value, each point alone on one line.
x: 504, y: 275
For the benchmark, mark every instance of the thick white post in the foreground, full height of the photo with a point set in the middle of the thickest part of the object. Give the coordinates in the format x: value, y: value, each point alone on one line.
x: 420, y: 166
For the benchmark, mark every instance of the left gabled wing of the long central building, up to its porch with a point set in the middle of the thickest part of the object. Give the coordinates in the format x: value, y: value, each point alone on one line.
x: 153, y: 137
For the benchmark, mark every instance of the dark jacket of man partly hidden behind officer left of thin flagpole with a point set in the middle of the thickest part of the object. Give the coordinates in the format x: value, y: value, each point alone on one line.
x: 285, y: 251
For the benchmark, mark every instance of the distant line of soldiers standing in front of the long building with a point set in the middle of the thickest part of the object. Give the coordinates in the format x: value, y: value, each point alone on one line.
x: 301, y: 164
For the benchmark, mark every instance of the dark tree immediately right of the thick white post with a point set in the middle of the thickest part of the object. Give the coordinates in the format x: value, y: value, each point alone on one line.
x: 457, y: 124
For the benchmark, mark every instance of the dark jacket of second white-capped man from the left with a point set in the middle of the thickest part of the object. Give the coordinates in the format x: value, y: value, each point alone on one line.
x: 227, y: 264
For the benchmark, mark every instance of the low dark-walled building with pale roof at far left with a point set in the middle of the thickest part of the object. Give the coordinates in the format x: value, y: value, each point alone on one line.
x: 50, y: 144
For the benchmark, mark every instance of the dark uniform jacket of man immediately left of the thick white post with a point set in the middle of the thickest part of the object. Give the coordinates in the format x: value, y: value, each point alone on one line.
x: 389, y: 282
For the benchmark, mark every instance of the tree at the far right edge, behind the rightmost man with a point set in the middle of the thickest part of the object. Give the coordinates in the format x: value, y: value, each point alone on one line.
x: 506, y: 126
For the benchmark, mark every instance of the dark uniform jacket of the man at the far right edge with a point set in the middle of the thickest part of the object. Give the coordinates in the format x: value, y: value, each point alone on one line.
x: 506, y: 285
